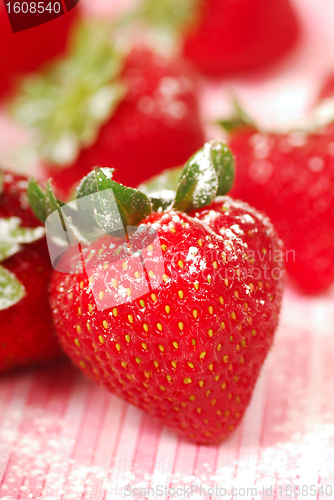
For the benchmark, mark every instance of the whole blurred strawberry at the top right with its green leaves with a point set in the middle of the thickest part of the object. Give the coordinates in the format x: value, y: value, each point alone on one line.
x: 228, y: 36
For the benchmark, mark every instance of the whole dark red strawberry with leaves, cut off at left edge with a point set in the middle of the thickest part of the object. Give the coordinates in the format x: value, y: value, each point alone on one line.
x: 26, y: 334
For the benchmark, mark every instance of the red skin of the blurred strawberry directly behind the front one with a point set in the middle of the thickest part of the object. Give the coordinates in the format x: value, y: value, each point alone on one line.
x: 156, y: 126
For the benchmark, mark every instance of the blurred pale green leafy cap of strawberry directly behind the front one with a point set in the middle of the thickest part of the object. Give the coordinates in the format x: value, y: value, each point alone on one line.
x: 67, y: 104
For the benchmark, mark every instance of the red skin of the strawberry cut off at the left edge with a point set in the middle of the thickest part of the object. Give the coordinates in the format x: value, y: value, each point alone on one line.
x: 26, y: 334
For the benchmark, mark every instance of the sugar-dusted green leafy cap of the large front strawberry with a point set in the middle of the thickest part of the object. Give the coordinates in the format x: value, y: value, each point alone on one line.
x: 101, y: 204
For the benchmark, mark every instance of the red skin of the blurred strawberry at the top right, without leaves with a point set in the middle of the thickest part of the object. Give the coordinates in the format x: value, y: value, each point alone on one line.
x: 240, y: 35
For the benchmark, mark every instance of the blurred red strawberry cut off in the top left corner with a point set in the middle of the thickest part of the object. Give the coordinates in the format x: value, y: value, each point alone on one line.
x: 27, y: 50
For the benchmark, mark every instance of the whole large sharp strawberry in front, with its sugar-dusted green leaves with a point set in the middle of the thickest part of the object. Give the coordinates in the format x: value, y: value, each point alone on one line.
x: 175, y: 313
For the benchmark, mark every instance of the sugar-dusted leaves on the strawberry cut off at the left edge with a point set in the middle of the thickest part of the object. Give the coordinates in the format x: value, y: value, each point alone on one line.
x: 13, y: 236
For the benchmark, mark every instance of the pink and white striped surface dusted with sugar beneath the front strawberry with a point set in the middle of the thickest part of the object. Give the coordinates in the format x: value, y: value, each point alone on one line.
x: 62, y: 437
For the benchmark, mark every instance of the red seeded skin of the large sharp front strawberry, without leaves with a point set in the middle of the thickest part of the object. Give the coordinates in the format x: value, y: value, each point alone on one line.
x: 189, y: 350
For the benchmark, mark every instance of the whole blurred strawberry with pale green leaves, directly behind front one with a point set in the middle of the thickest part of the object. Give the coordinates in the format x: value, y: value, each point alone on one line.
x: 146, y: 111
